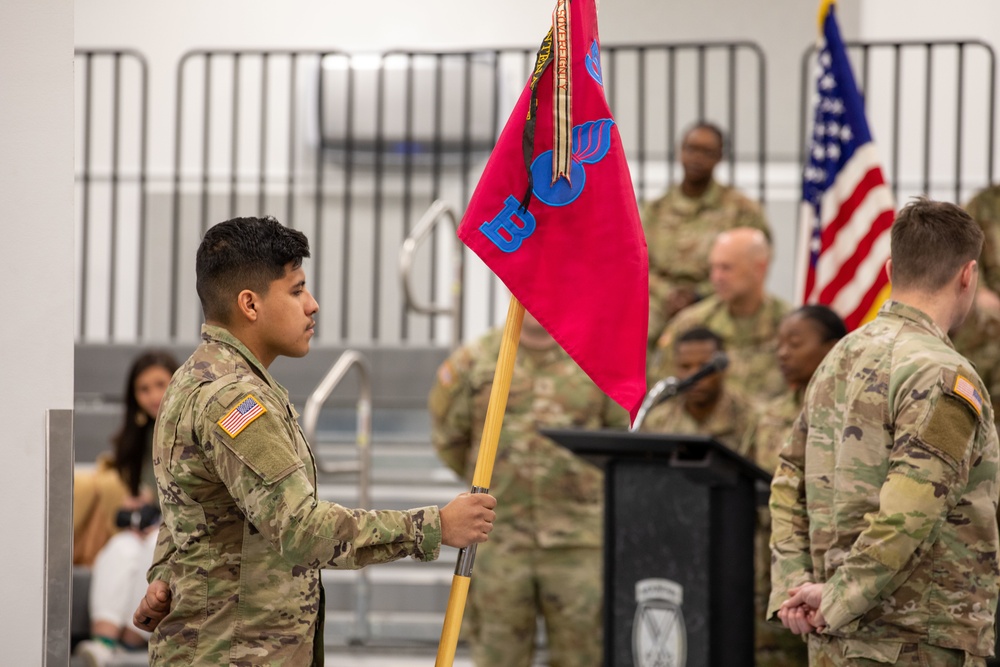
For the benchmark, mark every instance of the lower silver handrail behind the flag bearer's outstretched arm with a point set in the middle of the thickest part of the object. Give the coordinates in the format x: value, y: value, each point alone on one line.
x: 310, y: 417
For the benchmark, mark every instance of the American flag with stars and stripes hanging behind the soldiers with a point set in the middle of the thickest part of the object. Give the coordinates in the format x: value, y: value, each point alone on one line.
x: 847, y: 208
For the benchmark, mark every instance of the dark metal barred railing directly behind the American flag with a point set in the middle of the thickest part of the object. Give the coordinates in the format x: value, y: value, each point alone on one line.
x: 903, y: 88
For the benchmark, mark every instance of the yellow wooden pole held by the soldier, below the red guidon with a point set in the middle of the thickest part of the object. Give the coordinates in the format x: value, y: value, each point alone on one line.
x: 481, y: 478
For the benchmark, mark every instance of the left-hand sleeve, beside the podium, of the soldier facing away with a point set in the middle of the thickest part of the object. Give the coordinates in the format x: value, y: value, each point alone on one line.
x: 791, y: 563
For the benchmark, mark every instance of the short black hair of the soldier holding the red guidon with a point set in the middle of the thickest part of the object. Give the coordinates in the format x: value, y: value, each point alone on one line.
x: 244, y: 253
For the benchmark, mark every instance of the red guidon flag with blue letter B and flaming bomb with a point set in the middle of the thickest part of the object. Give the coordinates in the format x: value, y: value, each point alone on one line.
x: 555, y: 215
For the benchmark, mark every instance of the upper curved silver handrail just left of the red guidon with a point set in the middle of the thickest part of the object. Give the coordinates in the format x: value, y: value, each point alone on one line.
x: 427, y: 223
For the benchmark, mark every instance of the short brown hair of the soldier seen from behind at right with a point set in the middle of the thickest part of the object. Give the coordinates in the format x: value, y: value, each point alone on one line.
x: 930, y: 242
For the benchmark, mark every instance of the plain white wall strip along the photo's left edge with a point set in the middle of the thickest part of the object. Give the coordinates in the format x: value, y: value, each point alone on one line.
x: 36, y: 331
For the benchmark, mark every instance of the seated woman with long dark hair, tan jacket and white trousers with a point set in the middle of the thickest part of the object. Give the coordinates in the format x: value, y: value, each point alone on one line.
x: 123, y: 499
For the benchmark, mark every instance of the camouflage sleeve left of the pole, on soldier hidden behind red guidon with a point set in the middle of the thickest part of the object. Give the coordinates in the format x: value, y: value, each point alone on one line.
x: 451, y: 408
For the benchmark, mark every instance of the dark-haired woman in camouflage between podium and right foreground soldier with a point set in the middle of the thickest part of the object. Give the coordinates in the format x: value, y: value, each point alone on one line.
x: 805, y: 337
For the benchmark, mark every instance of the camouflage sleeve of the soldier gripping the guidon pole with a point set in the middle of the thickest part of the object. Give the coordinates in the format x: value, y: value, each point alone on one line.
x: 267, y: 479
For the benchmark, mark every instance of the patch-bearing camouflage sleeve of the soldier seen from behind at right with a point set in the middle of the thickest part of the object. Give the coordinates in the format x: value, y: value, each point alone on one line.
x: 928, y: 470
